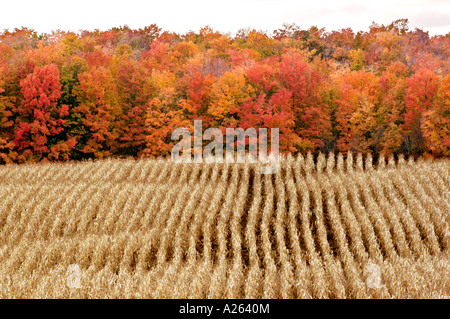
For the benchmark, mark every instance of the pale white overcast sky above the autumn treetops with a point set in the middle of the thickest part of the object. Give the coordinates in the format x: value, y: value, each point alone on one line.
x: 225, y: 16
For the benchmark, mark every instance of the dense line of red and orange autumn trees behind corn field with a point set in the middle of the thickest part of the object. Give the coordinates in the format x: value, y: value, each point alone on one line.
x: 121, y: 92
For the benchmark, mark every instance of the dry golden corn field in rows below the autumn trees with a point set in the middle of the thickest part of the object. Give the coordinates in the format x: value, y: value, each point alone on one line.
x: 325, y: 227
